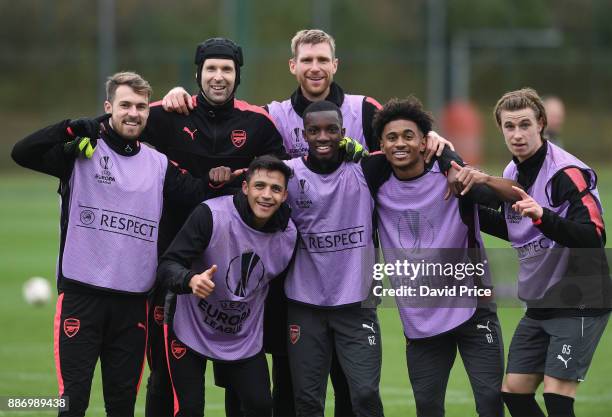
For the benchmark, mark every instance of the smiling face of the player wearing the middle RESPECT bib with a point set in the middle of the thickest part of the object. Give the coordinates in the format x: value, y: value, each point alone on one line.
x: 323, y: 132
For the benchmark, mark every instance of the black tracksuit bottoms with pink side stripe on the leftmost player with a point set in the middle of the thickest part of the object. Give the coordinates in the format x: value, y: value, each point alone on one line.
x: 104, y: 325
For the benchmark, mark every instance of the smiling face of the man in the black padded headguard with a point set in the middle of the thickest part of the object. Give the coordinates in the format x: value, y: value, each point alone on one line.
x: 218, y: 80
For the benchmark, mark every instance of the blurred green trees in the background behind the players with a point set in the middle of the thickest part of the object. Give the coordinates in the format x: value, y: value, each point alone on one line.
x: 49, y: 55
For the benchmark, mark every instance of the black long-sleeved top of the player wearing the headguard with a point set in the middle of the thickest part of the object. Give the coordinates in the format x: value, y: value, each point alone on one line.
x: 230, y: 135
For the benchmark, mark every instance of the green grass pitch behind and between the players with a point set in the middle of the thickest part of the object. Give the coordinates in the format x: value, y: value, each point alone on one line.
x: 29, y: 210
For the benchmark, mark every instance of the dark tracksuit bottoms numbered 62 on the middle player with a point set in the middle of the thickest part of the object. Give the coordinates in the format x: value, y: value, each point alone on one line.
x: 355, y: 334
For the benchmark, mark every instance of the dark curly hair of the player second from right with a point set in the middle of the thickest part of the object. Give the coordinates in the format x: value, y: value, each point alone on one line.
x: 409, y: 108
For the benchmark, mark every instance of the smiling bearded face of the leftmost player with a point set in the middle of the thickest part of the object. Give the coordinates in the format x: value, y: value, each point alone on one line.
x: 129, y: 112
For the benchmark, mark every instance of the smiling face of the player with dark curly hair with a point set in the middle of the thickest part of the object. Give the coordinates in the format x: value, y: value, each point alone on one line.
x: 403, y: 144
